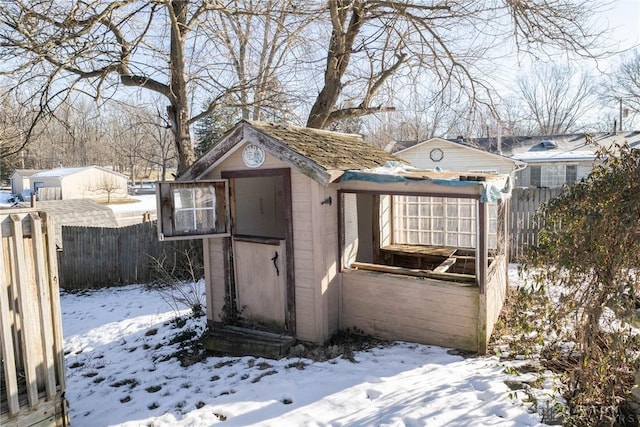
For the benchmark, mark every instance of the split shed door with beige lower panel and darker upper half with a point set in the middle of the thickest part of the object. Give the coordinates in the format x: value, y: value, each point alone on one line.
x: 262, y: 248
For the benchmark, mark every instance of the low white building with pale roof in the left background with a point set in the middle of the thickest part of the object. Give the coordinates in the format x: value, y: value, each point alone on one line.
x: 87, y: 182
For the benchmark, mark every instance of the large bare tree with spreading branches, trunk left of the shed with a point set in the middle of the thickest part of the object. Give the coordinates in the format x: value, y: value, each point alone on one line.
x: 166, y: 47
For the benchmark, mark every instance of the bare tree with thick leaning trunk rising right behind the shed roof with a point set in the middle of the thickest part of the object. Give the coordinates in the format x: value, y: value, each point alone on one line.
x: 447, y: 41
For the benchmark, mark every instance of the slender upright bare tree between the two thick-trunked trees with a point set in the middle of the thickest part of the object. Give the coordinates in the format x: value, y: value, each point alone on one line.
x: 264, y: 46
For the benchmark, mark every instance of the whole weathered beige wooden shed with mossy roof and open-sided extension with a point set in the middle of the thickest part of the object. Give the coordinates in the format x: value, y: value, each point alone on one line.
x: 303, y: 237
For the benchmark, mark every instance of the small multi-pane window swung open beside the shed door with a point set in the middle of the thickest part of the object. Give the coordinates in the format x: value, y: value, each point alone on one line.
x: 193, y: 209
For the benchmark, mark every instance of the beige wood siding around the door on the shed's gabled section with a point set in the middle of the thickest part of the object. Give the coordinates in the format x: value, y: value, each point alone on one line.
x: 315, y: 253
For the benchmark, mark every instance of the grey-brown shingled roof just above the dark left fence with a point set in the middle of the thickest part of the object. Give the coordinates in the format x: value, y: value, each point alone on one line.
x: 76, y: 212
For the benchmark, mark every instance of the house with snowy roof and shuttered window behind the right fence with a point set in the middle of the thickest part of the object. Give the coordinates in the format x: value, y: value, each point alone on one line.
x: 556, y: 160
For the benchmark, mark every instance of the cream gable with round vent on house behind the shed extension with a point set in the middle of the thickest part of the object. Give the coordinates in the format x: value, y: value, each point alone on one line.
x: 456, y: 156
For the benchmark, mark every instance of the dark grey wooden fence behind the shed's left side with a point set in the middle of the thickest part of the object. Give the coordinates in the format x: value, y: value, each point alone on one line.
x: 98, y: 257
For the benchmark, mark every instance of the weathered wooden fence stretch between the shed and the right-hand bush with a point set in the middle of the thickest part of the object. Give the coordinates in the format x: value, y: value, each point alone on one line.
x: 523, y: 223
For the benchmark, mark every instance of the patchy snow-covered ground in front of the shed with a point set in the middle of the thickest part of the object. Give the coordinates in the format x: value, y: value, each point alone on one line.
x: 118, y: 340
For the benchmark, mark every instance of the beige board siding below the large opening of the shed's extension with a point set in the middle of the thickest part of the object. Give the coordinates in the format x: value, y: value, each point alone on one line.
x: 413, y: 309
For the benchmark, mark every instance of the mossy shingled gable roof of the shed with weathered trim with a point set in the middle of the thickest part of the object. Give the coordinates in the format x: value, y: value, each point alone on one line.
x: 321, y: 155
